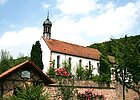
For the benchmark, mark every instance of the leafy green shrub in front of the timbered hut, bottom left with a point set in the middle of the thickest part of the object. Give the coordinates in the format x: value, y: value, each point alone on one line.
x: 33, y: 92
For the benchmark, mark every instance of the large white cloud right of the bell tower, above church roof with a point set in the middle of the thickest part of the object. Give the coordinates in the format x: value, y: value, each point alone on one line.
x: 110, y: 21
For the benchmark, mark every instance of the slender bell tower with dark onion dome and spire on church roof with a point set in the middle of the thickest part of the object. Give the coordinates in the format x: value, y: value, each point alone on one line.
x: 47, y: 28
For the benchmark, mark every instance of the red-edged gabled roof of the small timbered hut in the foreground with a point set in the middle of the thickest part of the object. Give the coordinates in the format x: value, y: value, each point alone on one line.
x: 43, y: 76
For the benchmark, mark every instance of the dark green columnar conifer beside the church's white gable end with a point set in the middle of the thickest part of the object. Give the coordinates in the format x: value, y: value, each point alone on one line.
x: 36, y: 55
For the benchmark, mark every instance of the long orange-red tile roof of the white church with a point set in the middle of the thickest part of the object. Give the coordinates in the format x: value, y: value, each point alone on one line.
x: 72, y: 49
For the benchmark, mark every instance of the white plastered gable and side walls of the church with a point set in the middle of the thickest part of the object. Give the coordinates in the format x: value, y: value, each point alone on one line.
x: 46, y: 58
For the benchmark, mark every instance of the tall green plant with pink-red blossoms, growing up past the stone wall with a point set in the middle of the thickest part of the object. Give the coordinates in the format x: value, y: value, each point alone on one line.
x: 66, y: 90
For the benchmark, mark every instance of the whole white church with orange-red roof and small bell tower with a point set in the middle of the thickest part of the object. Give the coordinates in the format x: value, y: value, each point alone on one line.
x: 57, y: 51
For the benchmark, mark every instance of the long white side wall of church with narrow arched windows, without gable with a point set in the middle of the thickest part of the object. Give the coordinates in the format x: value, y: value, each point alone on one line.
x: 75, y: 62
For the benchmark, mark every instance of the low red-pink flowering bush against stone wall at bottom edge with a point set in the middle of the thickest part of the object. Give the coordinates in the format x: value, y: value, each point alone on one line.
x: 89, y: 95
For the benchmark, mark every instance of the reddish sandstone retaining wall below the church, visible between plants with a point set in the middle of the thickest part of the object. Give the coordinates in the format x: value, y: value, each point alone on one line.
x: 112, y: 93
